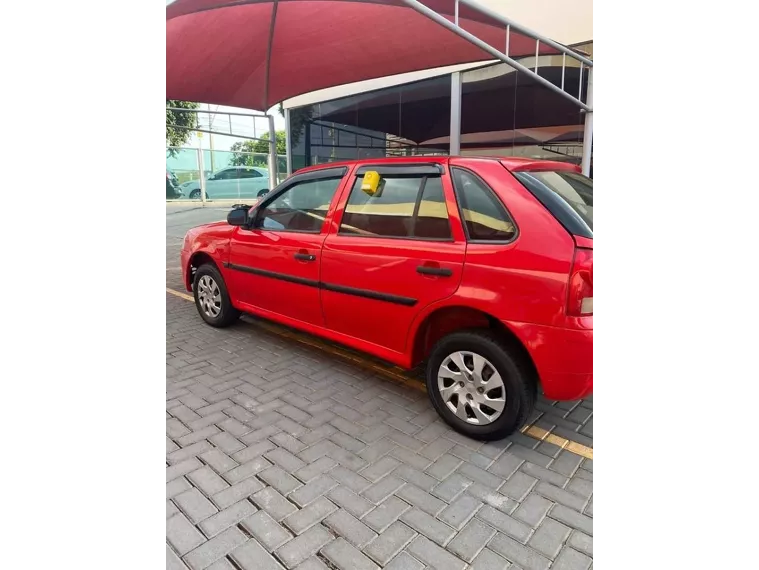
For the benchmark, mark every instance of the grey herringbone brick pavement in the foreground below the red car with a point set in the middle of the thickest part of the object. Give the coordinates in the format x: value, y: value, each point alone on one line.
x: 279, y: 455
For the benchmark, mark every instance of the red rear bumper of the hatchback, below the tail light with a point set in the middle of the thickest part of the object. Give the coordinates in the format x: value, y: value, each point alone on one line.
x: 563, y: 358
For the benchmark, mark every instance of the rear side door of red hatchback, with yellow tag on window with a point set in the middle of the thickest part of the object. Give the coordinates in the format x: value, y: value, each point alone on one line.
x: 388, y: 256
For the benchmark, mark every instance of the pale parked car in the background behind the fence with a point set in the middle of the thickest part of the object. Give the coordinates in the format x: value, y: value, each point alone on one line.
x: 231, y: 183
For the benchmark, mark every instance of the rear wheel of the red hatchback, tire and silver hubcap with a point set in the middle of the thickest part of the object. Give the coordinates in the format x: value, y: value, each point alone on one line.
x: 480, y: 386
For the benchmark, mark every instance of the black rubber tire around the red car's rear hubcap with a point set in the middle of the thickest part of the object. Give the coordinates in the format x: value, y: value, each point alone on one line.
x: 518, y: 379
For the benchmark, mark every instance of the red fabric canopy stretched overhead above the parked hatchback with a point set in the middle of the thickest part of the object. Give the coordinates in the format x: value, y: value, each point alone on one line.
x: 257, y: 53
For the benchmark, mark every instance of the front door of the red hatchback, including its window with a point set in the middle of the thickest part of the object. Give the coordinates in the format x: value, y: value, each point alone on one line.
x: 274, y: 265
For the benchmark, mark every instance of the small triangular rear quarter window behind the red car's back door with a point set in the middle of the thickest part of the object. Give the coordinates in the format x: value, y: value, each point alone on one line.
x: 485, y: 218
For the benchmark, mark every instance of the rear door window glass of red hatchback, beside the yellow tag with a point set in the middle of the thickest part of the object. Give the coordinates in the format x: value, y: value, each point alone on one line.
x: 408, y: 207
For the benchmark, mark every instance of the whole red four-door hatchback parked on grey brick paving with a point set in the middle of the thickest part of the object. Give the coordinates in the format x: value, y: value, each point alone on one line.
x: 480, y: 267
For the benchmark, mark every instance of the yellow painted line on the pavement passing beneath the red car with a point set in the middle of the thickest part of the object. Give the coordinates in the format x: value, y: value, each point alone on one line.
x: 398, y: 378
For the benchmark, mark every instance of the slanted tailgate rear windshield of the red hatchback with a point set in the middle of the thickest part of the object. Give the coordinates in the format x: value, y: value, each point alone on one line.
x: 567, y: 195
